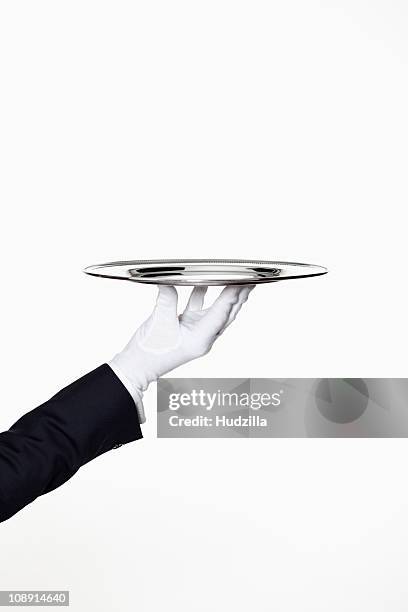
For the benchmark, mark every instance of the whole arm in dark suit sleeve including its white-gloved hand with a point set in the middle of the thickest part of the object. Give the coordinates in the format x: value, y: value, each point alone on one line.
x: 104, y: 409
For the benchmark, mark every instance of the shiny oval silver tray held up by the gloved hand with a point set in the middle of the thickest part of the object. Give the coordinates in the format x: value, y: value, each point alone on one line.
x: 204, y: 271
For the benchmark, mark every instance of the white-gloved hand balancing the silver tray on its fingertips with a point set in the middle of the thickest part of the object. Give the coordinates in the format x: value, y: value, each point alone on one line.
x: 165, y: 340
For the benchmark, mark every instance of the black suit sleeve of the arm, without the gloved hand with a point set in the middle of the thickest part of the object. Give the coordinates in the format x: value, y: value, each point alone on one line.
x: 46, y: 446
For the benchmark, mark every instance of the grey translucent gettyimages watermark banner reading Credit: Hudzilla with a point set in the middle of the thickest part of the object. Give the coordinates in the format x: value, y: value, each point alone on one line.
x: 284, y: 407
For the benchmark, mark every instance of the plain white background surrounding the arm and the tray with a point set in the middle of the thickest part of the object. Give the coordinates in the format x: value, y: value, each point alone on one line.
x: 251, y: 129
